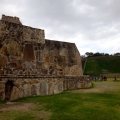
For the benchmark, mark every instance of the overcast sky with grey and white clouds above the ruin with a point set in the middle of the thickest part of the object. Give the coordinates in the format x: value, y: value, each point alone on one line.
x: 94, y: 25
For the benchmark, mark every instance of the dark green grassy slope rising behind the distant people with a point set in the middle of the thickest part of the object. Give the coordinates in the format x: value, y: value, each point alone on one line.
x: 97, y: 65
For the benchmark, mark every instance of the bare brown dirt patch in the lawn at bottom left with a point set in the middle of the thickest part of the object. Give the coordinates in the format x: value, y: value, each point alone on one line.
x: 34, y: 109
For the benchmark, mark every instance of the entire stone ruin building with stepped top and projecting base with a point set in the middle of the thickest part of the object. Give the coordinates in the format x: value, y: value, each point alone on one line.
x: 32, y: 65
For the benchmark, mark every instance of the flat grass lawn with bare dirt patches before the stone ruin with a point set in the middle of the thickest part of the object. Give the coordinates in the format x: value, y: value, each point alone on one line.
x: 102, y: 102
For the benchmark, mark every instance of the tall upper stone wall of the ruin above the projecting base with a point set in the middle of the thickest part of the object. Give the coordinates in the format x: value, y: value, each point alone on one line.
x: 24, y: 50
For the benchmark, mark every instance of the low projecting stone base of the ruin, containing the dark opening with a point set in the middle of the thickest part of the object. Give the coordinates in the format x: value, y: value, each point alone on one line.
x: 17, y: 87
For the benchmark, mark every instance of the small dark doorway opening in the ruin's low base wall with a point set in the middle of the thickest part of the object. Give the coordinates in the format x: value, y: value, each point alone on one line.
x: 8, y: 90
